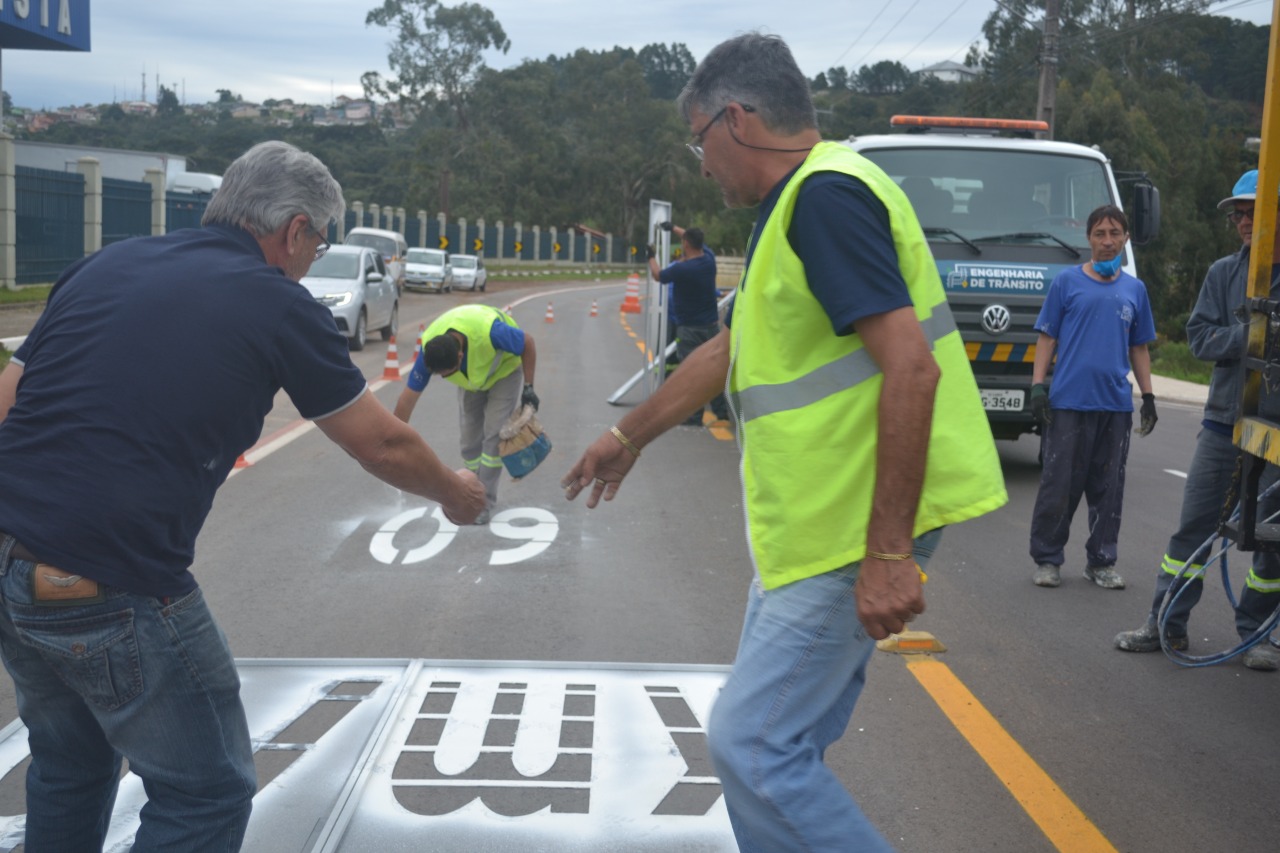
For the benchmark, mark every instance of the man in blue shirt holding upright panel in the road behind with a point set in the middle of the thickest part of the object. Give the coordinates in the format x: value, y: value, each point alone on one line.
x: 693, y: 300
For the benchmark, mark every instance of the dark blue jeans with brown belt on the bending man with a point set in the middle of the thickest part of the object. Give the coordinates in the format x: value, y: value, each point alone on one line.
x: 135, y: 678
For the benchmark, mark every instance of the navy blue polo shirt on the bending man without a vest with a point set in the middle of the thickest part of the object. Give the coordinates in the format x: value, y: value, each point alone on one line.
x: 149, y: 373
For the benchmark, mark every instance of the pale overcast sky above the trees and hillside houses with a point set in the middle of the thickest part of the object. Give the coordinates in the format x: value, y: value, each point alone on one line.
x: 312, y: 51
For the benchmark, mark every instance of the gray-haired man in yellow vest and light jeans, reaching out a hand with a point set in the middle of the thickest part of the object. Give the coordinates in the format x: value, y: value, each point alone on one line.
x: 839, y: 335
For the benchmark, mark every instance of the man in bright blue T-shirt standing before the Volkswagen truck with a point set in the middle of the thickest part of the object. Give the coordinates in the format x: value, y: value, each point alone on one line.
x: 1099, y: 321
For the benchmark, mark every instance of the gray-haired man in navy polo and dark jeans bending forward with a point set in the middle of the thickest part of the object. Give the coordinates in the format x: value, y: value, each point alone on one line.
x: 111, y: 454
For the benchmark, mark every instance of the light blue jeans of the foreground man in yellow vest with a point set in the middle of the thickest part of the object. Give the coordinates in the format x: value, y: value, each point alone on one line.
x: 802, y: 665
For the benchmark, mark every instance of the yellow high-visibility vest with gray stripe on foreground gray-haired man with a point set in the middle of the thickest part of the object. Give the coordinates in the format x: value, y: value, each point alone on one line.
x: 808, y: 400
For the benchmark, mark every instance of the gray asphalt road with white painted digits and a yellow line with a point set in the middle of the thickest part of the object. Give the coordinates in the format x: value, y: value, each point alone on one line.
x: 1084, y: 747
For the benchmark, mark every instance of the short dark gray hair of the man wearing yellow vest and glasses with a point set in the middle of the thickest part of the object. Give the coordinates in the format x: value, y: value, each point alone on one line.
x: 758, y: 71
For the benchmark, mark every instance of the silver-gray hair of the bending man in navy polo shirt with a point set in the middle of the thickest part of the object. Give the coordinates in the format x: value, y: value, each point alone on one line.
x: 269, y: 185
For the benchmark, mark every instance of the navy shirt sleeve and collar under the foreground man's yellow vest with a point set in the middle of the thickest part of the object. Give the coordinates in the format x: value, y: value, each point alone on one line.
x: 842, y: 234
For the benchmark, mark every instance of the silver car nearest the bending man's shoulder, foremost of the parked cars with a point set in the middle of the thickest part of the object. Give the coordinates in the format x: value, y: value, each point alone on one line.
x: 353, y: 281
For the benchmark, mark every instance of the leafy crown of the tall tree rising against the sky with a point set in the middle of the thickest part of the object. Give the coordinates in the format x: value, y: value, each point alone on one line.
x: 437, y: 54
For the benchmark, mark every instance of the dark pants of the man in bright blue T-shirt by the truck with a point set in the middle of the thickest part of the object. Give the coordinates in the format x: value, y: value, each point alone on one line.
x: 1085, y: 454
